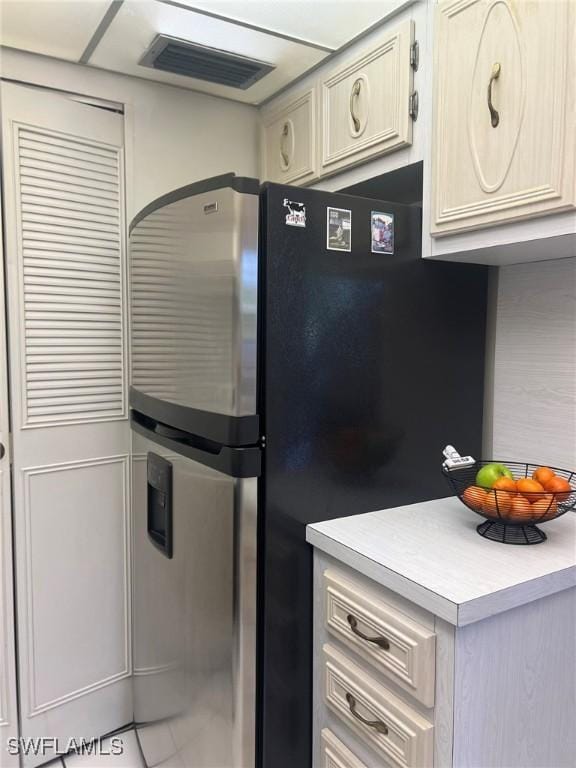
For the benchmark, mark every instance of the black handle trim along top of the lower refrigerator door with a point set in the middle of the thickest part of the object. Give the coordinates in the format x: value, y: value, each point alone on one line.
x: 230, y: 460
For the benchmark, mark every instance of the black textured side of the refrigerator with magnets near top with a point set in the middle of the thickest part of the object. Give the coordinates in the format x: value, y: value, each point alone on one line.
x: 370, y: 364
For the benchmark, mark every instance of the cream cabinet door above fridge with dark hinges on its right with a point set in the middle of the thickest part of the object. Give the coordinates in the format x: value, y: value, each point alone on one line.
x: 366, y: 102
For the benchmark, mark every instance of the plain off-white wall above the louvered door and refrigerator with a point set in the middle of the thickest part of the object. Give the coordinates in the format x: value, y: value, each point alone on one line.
x: 173, y: 136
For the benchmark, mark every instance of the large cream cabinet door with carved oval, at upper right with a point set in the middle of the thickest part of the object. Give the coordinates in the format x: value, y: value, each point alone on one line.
x: 503, y: 146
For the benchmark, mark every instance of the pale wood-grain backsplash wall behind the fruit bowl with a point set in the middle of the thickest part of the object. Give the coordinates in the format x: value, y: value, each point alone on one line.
x: 534, y: 405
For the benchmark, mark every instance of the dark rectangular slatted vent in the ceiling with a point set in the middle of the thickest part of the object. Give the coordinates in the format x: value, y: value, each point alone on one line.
x: 169, y: 54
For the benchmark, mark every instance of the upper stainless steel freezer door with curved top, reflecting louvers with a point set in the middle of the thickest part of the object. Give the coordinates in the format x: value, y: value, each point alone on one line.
x: 194, y: 274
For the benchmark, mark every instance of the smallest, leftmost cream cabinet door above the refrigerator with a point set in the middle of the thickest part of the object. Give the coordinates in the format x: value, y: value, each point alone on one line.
x: 288, y: 143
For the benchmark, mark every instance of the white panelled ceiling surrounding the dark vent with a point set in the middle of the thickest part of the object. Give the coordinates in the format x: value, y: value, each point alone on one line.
x: 292, y: 35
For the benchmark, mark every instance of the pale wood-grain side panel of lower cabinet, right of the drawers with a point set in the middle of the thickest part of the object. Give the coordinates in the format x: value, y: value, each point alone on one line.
x: 515, y: 687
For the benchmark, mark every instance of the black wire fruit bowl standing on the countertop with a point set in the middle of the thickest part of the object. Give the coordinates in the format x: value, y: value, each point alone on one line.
x: 511, y: 516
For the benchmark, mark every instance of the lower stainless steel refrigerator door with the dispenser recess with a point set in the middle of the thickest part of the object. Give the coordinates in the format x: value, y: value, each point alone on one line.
x: 194, y: 614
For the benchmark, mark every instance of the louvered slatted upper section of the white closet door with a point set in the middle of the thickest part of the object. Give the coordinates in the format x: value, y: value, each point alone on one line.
x: 72, y: 278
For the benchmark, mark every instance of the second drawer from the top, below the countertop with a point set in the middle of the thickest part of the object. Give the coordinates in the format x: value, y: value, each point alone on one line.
x: 396, y: 731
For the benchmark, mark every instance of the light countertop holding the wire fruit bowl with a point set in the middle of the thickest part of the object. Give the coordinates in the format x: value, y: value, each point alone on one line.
x: 430, y: 554
